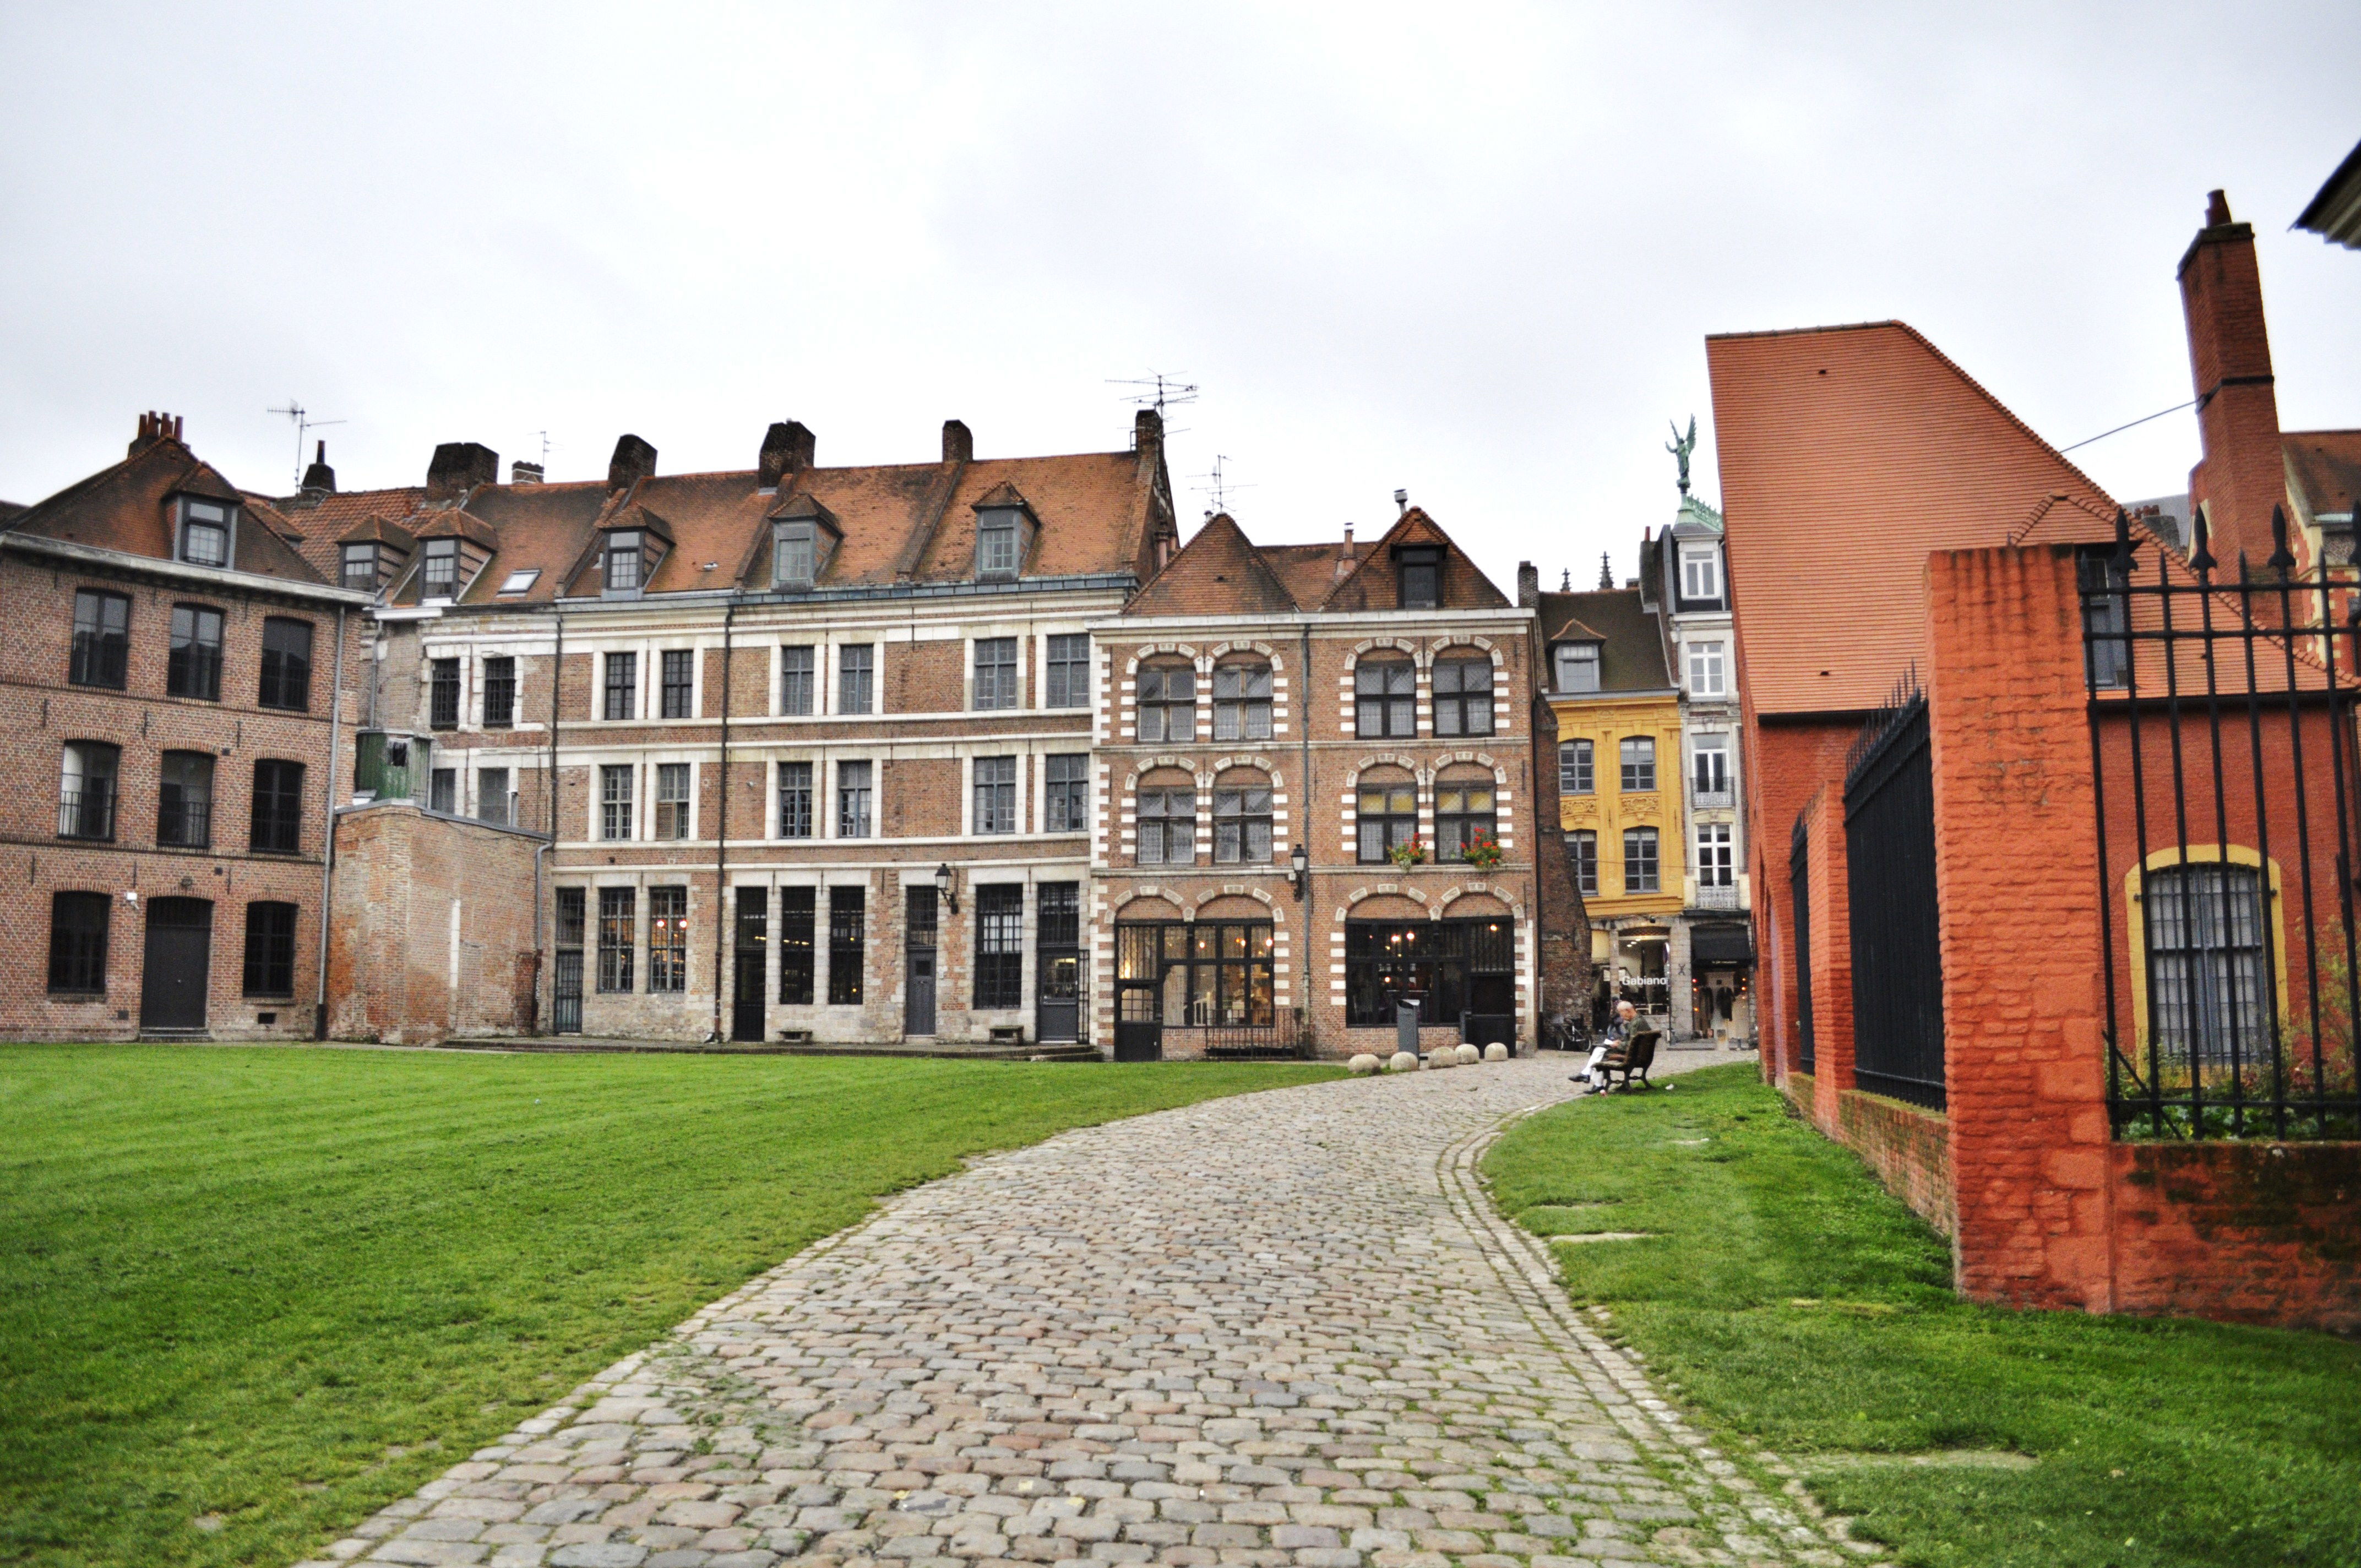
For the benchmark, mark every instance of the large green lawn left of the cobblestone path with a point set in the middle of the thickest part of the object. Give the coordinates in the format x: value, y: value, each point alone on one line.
x: 251, y: 1283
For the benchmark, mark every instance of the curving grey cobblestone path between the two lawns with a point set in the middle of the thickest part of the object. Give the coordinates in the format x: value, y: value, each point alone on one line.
x: 1281, y: 1331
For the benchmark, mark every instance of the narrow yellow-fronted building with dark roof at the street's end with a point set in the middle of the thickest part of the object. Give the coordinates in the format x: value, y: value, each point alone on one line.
x: 1621, y: 773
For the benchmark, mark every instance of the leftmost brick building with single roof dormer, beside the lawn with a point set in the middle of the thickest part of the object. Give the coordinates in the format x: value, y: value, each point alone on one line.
x: 183, y: 688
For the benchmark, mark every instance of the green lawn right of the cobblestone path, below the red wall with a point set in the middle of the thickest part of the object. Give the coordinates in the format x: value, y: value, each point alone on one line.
x: 1793, y: 1300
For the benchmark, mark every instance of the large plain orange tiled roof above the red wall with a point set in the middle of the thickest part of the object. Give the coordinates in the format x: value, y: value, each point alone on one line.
x: 1847, y: 457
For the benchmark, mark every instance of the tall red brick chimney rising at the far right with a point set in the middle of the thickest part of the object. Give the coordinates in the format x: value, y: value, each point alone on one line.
x: 2242, y: 473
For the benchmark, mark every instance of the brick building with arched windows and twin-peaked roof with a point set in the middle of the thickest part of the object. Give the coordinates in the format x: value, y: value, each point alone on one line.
x: 1319, y: 795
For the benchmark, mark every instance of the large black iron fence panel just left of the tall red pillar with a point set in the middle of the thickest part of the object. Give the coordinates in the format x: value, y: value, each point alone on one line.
x: 1895, y: 906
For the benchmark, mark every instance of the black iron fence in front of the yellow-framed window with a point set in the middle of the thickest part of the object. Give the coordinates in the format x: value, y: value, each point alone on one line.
x: 2223, y: 757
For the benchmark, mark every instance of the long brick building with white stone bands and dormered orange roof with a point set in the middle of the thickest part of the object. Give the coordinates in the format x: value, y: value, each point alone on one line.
x: 811, y: 745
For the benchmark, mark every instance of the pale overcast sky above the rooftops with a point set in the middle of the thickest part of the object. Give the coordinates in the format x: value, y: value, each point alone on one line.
x: 1458, y: 249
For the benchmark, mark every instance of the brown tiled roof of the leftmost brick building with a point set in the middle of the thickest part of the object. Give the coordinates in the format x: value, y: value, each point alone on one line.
x: 124, y: 509
